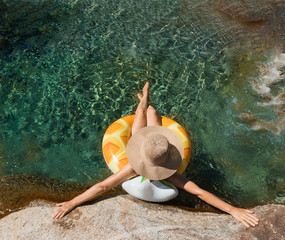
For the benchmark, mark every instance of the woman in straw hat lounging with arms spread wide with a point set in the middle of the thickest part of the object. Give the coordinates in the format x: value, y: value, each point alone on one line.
x: 154, y: 152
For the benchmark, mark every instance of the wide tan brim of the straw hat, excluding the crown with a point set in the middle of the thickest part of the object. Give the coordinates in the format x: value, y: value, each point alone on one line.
x: 137, y: 159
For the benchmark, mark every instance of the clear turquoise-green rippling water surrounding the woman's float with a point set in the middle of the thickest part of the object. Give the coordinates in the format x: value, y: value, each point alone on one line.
x: 71, y: 68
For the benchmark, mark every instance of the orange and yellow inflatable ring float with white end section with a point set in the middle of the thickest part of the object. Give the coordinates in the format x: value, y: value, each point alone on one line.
x: 114, y: 150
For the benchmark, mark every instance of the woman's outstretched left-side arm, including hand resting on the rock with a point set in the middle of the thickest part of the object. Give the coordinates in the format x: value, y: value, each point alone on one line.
x: 95, y: 191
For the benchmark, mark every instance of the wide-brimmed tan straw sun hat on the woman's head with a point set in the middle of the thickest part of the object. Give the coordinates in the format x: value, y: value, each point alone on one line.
x: 155, y: 152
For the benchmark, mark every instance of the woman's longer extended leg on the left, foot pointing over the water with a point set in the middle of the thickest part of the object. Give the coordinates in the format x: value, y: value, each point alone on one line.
x: 141, y: 112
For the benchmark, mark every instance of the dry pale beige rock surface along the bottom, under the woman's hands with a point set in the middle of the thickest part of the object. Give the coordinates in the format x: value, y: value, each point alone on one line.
x: 124, y: 217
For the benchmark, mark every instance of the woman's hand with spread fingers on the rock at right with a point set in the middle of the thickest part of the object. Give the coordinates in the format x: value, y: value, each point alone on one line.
x: 244, y: 216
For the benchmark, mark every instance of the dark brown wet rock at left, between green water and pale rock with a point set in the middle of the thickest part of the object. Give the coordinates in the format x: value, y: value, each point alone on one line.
x: 17, y: 190
